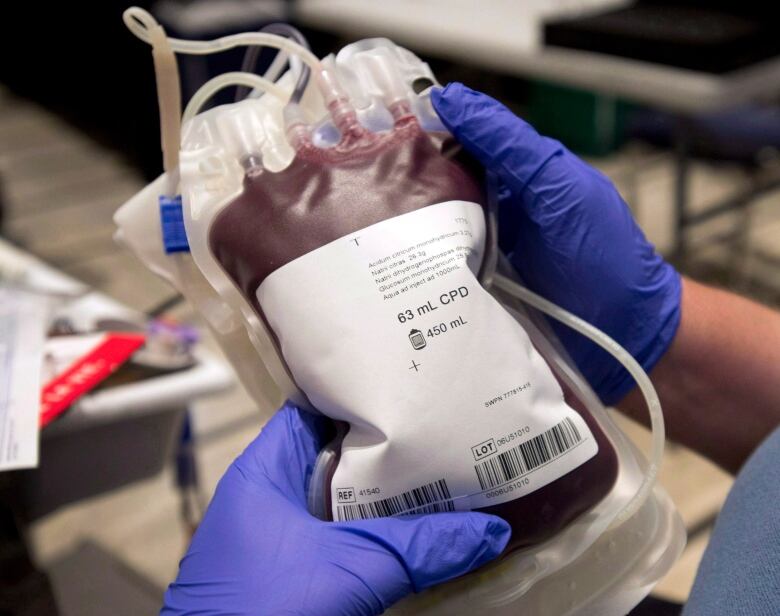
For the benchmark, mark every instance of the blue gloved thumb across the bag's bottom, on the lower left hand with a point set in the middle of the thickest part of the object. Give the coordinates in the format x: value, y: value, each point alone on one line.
x: 434, y: 548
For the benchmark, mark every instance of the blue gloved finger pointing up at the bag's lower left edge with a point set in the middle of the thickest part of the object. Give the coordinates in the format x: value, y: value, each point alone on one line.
x: 285, y: 451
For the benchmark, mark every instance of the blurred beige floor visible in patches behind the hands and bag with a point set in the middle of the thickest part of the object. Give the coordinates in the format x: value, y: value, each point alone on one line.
x: 61, y: 191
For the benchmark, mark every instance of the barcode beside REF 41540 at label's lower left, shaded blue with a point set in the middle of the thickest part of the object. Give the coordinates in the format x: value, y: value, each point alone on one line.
x: 430, y: 498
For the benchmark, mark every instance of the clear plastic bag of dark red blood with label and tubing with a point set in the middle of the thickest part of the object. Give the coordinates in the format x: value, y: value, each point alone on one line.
x: 345, y: 230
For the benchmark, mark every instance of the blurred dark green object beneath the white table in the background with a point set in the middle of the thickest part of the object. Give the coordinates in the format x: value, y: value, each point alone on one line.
x: 587, y: 123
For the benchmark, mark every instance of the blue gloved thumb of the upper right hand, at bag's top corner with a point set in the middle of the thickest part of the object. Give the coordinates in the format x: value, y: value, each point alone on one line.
x: 494, y: 135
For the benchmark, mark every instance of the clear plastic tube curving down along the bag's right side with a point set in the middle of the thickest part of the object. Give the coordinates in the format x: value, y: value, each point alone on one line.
x: 629, y: 363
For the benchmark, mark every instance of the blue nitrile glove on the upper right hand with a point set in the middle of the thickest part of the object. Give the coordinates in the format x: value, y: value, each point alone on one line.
x: 571, y: 237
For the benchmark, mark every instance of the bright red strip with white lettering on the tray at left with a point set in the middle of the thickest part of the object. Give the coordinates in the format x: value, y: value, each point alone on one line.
x: 86, y: 373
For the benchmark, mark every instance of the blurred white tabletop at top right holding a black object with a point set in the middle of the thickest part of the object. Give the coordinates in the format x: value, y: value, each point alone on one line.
x: 505, y: 36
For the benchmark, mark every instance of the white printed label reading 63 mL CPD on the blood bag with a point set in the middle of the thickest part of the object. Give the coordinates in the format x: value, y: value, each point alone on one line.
x: 449, y: 404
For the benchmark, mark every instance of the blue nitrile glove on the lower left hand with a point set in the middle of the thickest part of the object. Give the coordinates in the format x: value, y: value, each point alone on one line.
x: 258, y: 551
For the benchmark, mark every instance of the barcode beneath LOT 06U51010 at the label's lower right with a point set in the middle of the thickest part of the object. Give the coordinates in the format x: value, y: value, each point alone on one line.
x: 528, y: 455
